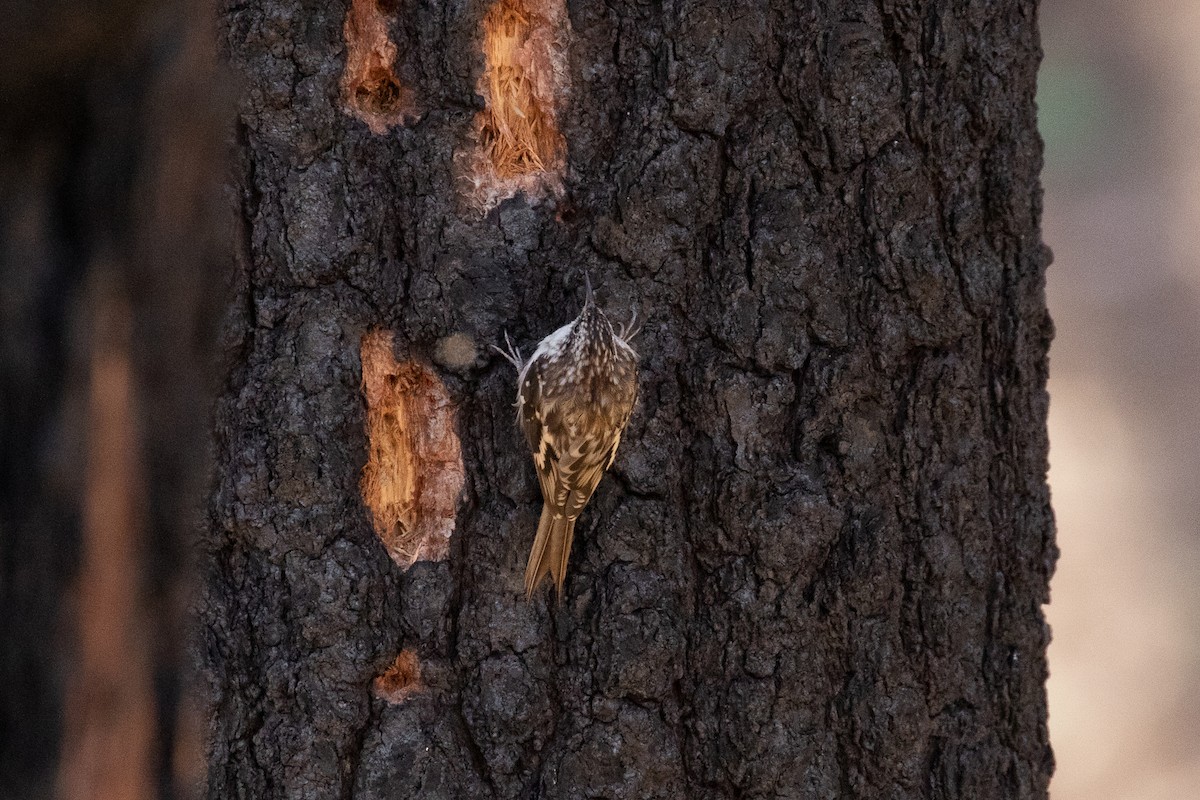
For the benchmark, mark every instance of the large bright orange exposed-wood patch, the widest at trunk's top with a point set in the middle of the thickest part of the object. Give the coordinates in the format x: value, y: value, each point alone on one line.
x: 524, y: 83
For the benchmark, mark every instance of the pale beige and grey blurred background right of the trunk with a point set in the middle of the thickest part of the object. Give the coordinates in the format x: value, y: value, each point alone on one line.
x: 1119, y: 103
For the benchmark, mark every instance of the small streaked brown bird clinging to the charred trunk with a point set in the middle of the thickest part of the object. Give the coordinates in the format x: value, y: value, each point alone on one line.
x: 575, y: 396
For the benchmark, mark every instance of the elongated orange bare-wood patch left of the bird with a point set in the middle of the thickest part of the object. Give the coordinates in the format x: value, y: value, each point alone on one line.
x: 415, y: 472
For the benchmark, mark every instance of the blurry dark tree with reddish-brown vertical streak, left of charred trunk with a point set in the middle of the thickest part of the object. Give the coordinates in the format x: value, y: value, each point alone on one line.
x: 111, y: 267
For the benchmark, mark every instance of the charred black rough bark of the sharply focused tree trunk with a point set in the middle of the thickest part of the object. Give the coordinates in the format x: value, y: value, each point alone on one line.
x: 818, y: 567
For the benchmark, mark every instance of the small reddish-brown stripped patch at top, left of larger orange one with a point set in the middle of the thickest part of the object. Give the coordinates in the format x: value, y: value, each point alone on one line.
x: 371, y: 91
